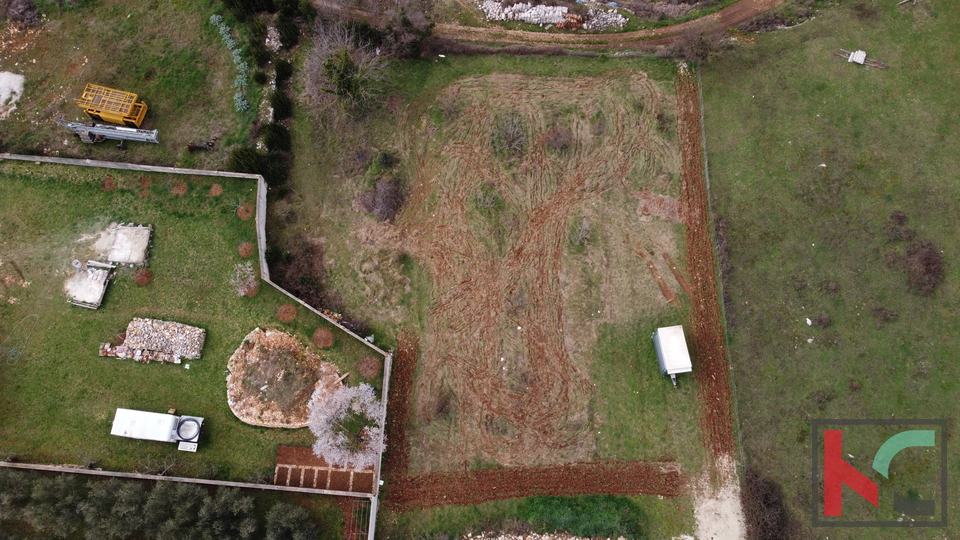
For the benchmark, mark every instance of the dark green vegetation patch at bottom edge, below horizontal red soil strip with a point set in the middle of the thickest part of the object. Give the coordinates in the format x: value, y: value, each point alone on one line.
x: 589, y: 516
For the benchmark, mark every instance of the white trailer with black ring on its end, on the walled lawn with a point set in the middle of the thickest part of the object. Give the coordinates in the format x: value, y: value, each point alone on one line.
x: 148, y: 426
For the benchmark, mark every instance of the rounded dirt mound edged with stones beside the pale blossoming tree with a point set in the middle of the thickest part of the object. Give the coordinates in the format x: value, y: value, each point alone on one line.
x: 272, y: 376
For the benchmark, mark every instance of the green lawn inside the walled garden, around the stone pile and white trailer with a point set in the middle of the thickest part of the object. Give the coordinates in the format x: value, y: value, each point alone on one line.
x: 58, y: 396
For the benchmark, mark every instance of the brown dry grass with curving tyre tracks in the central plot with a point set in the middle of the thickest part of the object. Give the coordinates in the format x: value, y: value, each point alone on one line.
x: 496, y: 331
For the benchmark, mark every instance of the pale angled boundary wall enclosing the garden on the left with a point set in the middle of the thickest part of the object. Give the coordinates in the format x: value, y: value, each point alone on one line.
x: 261, y: 220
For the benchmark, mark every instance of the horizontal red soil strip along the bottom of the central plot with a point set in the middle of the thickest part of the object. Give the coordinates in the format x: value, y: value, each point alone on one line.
x: 475, y: 487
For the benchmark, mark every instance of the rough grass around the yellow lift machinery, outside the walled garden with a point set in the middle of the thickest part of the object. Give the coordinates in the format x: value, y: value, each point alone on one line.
x: 166, y: 52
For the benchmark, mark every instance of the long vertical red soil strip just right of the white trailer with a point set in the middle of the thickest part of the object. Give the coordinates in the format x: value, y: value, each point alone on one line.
x: 707, y: 335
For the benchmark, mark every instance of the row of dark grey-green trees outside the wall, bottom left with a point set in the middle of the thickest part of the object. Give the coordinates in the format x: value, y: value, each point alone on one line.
x: 69, y: 506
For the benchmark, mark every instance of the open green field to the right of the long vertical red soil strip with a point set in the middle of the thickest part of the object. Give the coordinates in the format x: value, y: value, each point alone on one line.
x: 809, y: 156
